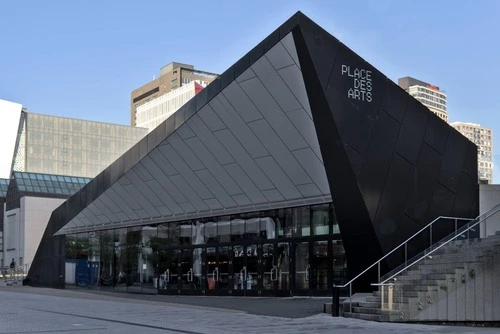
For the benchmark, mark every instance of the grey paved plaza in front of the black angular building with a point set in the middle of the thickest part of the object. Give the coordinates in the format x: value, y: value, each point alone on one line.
x: 39, y: 310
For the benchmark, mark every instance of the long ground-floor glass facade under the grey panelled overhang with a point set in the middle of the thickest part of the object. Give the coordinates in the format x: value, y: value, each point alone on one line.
x: 277, y: 252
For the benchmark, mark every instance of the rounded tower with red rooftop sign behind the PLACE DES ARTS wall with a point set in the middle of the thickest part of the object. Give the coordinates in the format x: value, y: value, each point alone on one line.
x: 429, y: 95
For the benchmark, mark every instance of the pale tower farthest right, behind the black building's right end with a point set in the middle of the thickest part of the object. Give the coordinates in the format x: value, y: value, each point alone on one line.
x: 483, y: 138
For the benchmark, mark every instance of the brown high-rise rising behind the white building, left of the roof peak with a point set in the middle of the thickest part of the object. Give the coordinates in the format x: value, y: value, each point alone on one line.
x: 172, y: 76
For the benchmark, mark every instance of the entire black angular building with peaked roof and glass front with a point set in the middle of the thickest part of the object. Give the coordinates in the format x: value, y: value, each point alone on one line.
x: 300, y: 165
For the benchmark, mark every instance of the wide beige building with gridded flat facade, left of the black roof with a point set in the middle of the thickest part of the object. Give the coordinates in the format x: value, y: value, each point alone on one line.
x: 67, y: 146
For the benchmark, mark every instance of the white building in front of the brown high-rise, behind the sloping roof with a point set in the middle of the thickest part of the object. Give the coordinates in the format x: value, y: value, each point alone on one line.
x: 150, y: 114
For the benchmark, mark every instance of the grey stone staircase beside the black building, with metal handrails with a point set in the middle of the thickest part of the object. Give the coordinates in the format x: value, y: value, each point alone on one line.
x: 458, y: 282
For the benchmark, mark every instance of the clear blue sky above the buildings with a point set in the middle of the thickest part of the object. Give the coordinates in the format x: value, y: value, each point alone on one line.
x: 82, y: 58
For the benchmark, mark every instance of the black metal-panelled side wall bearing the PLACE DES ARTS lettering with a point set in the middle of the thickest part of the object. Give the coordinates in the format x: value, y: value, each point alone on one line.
x: 377, y: 186
